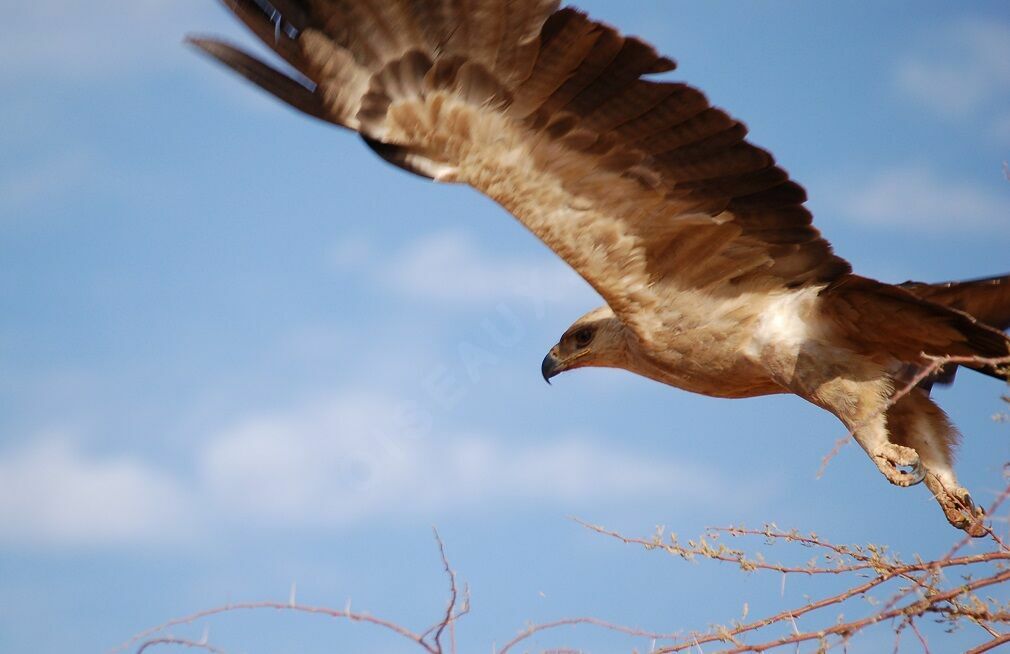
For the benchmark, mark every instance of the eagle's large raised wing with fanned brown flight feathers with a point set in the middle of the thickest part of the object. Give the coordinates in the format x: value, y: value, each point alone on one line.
x: 650, y: 193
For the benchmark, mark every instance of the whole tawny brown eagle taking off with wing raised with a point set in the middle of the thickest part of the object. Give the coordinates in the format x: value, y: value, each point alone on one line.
x: 715, y: 279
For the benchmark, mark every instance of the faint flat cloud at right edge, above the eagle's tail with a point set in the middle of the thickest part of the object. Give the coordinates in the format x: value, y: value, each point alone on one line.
x: 917, y: 196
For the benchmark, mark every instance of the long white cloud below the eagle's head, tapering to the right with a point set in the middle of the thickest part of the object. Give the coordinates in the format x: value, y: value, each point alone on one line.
x: 349, y: 460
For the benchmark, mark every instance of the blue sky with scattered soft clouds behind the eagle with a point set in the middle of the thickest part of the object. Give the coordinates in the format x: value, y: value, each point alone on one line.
x: 239, y: 353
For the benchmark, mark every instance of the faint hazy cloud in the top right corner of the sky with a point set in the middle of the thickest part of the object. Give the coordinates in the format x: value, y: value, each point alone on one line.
x: 961, y: 71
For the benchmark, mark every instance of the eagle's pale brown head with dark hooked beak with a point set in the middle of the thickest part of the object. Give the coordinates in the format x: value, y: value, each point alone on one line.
x: 598, y: 340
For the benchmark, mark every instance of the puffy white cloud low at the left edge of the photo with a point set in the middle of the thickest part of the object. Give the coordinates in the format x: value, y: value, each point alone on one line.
x: 53, y: 494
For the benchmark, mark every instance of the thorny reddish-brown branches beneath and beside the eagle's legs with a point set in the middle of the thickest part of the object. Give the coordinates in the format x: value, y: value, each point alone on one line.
x: 928, y: 592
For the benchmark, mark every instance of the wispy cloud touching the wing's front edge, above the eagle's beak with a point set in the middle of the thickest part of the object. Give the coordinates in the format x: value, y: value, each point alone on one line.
x: 451, y: 268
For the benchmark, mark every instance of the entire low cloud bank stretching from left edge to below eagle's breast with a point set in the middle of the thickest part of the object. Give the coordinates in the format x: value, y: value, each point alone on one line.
x: 342, y: 460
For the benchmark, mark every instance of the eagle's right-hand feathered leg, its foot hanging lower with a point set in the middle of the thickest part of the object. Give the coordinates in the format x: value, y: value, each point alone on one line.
x: 917, y: 422
